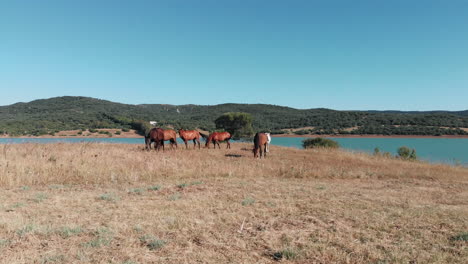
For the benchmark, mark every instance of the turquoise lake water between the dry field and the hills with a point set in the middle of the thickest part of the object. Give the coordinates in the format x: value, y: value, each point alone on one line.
x: 446, y: 150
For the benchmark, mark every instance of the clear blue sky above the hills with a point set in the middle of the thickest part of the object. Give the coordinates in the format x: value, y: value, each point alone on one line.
x: 375, y: 54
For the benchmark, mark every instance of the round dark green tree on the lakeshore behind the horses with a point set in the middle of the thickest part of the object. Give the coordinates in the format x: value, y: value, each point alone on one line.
x: 237, y: 123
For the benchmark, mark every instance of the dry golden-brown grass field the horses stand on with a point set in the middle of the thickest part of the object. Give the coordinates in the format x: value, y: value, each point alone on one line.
x: 111, y: 203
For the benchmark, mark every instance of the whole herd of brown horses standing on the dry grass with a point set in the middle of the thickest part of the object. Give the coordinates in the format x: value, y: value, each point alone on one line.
x: 159, y: 135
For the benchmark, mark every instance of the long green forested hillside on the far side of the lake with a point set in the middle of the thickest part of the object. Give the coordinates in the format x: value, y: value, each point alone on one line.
x: 68, y: 113
